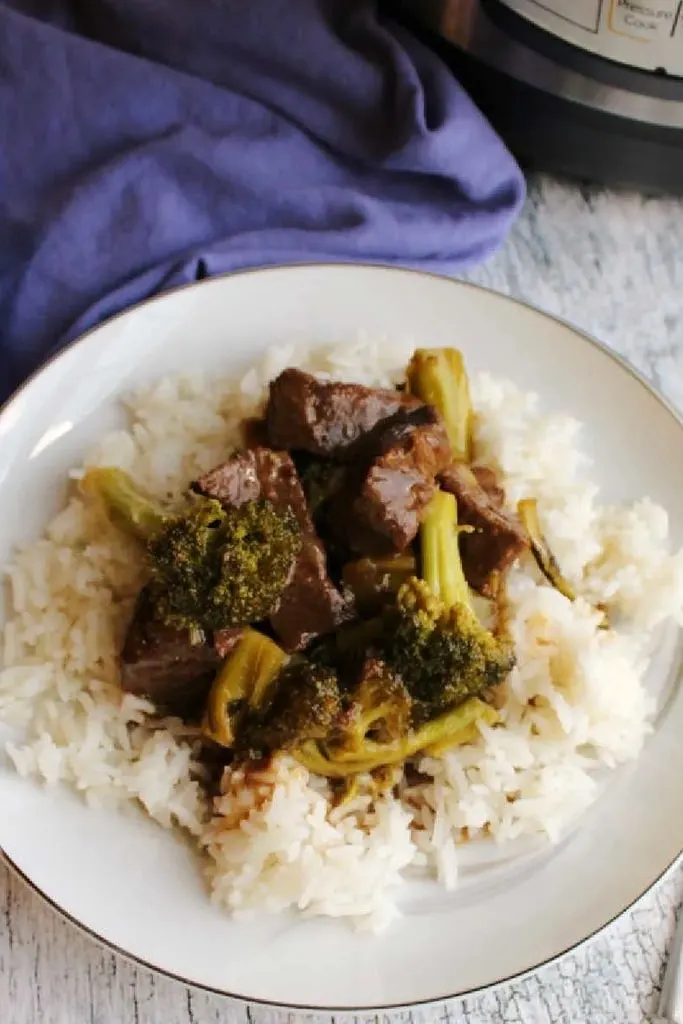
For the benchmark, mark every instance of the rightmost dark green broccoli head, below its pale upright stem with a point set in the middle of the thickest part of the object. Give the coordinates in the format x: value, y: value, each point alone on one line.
x: 445, y: 656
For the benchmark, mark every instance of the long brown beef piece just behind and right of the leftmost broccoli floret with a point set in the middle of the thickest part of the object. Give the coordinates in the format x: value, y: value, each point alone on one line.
x: 311, y: 604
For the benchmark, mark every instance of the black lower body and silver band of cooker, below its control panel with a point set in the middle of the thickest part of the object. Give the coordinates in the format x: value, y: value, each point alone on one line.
x: 560, y: 108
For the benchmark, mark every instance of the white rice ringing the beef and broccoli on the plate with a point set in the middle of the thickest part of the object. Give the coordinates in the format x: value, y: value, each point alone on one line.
x: 575, y: 706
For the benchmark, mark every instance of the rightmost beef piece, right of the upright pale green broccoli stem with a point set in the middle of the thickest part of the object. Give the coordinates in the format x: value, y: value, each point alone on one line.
x: 498, y: 538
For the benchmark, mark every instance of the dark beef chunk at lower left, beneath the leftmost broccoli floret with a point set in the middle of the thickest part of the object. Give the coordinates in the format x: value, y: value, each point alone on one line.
x: 161, y: 664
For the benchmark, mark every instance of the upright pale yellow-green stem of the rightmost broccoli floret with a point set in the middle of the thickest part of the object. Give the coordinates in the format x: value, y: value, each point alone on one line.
x: 442, y: 567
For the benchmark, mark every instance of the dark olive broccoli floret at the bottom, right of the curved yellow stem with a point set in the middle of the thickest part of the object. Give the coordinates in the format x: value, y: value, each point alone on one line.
x: 306, y: 705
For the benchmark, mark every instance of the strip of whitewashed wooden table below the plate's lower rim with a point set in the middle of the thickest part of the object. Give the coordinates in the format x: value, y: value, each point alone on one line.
x: 52, y: 974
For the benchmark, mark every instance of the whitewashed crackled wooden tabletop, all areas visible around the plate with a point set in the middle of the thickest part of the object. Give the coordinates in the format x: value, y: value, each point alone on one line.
x: 613, y: 265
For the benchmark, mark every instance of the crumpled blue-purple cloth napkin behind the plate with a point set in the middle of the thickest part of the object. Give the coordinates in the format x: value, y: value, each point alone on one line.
x: 145, y: 144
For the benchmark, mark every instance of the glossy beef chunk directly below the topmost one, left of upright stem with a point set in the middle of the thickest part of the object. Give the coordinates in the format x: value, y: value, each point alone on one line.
x: 387, y: 497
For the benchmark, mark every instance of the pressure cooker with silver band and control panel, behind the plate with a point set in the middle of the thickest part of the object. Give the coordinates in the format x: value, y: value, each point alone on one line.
x: 590, y: 89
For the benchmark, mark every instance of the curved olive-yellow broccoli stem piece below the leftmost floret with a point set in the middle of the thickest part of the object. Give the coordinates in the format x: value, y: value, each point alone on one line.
x: 245, y: 678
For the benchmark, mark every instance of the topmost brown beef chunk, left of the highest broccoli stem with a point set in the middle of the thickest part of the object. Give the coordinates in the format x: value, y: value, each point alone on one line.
x: 326, y: 418
